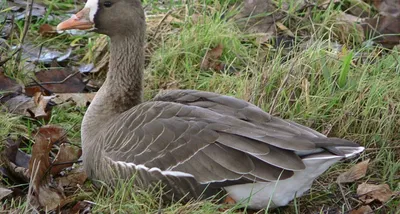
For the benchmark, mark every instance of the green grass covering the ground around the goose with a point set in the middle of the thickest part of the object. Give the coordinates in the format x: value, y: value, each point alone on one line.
x: 350, y: 91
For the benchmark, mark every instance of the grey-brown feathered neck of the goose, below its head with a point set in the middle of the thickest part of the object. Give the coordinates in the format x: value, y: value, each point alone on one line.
x: 122, y: 88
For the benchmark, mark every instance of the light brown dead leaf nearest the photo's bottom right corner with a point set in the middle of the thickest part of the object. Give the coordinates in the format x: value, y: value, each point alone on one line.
x: 371, y: 192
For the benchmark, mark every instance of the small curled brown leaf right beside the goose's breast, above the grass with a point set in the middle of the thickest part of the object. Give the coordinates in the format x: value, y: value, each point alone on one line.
x: 67, y: 154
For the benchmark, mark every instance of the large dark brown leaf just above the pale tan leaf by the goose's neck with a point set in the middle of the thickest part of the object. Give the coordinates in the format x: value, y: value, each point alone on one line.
x: 57, y: 81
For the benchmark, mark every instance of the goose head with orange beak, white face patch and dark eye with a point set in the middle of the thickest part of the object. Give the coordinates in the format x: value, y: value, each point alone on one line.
x: 109, y: 17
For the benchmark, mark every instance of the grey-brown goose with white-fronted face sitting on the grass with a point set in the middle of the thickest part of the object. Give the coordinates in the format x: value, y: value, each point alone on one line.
x: 194, y: 143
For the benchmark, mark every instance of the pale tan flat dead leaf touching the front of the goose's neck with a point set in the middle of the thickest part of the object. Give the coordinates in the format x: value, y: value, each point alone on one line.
x: 77, y: 99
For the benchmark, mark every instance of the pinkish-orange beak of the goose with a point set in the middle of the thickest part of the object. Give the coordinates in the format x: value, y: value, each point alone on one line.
x: 79, y: 21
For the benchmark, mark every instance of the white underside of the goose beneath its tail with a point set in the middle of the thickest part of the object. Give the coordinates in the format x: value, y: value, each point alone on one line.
x: 258, y: 195
